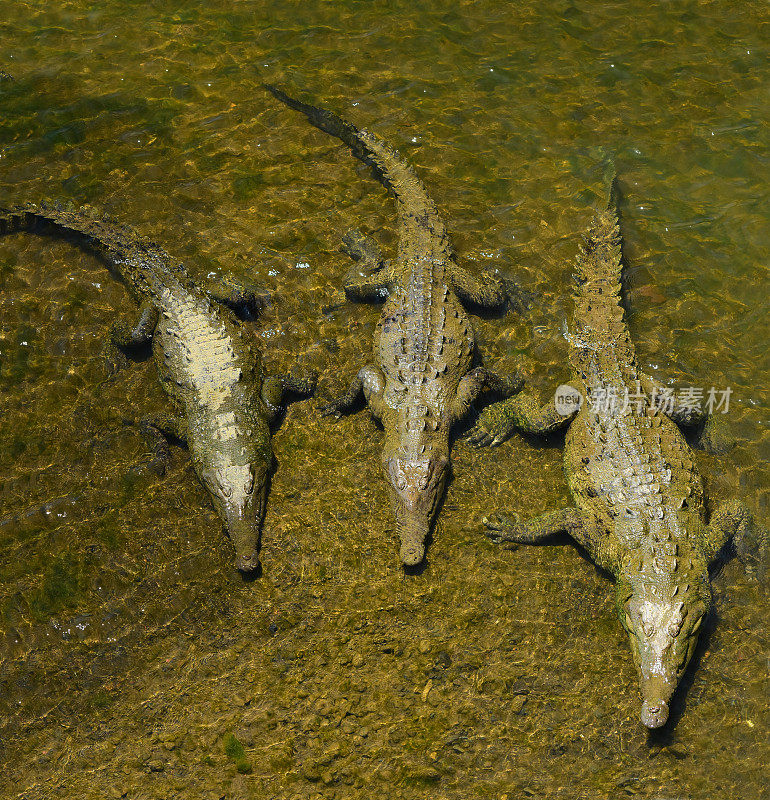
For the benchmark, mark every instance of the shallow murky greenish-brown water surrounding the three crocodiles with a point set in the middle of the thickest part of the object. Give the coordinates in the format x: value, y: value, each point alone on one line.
x: 130, y: 649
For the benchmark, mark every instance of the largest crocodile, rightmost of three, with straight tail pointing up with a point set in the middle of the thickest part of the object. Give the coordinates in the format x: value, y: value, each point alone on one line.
x: 639, y: 507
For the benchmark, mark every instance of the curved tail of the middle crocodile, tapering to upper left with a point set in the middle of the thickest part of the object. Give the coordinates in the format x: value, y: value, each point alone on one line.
x: 417, y: 212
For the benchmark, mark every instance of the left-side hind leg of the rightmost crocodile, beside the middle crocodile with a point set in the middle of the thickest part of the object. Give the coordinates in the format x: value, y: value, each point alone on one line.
x: 522, y: 412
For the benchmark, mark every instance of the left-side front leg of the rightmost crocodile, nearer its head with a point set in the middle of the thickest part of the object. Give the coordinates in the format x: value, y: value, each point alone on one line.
x: 583, y: 527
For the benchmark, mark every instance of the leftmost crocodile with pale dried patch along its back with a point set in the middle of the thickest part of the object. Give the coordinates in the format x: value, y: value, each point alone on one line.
x: 206, y: 363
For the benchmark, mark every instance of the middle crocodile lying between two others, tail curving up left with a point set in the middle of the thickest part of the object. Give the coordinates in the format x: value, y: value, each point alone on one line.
x: 422, y: 379
